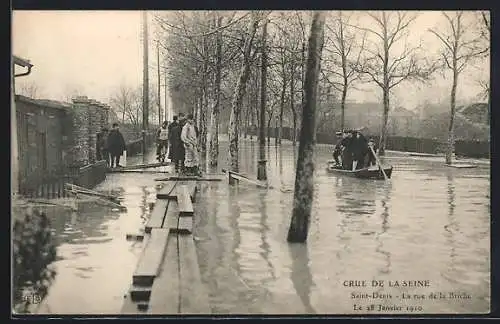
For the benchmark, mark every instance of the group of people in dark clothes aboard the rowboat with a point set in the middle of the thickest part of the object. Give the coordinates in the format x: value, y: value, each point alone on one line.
x: 354, y: 150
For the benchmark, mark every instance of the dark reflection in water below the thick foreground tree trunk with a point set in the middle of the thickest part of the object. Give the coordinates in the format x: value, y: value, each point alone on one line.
x: 301, y: 274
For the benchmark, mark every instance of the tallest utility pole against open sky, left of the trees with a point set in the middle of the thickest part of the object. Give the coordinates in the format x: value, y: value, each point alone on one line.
x: 145, y: 80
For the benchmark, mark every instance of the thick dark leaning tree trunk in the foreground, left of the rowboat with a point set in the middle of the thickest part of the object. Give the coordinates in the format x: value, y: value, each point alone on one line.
x: 304, y: 177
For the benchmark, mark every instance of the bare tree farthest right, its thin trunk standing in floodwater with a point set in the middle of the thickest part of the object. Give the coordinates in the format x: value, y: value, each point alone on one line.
x: 460, y: 45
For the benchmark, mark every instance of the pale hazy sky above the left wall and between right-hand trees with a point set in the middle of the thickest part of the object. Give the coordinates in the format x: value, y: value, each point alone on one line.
x: 94, y: 52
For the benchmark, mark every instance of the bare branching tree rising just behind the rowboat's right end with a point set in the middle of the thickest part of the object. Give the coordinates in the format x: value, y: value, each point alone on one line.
x: 386, y: 68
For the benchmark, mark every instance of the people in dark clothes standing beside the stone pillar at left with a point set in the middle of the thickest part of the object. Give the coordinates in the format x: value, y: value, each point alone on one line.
x: 110, y: 146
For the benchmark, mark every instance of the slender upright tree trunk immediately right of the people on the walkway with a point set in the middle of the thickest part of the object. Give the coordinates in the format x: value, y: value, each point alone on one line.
x: 214, y: 118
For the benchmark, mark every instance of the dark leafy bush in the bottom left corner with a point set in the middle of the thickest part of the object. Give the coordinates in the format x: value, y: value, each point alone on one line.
x: 33, y: 252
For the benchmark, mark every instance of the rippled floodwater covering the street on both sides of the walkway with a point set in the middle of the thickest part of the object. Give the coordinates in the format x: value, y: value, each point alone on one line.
x: 429, y: 224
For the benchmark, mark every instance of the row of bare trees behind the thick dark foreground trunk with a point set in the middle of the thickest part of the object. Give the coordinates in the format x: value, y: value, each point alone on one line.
x: 213, y: 62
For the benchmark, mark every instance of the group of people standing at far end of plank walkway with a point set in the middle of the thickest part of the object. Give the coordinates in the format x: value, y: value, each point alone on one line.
x: 181, y: 139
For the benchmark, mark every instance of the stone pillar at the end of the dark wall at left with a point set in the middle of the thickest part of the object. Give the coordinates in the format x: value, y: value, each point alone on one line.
x: 81, y: 119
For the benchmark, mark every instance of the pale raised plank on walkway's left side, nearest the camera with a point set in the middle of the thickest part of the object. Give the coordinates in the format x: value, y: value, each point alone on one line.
x: 151, y: 258
